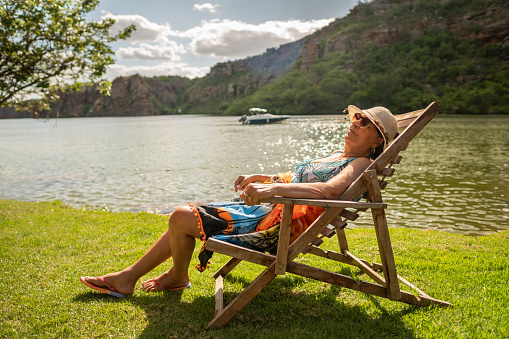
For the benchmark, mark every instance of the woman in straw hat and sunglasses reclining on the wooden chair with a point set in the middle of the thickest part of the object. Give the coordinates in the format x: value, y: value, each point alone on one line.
x: 250, y: 224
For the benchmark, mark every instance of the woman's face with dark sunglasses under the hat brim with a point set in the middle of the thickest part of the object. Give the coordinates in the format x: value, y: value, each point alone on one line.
x: 362, y: 134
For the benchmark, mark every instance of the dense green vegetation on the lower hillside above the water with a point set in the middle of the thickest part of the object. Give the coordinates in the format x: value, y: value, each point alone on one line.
x: 465, y: 76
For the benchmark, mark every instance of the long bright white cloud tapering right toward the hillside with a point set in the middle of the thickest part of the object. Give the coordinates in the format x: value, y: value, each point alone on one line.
x: 227, y: 38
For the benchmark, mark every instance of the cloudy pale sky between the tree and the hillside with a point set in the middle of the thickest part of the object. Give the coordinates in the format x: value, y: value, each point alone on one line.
x: 188, y: 37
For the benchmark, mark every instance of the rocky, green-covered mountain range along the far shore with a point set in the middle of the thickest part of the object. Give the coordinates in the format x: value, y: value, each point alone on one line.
x: 401, y: 54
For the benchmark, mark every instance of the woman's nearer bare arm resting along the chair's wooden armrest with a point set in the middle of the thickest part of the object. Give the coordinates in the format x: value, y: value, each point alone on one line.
x: 333, y: 188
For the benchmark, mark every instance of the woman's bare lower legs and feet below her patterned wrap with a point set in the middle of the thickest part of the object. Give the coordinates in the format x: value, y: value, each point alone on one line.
x: 178, y: 241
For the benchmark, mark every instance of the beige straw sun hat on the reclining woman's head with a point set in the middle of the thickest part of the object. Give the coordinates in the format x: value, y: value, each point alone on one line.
x: 382, y: 118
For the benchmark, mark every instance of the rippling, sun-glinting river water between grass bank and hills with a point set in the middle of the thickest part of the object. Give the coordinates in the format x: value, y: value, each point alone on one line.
x: 454, y: 176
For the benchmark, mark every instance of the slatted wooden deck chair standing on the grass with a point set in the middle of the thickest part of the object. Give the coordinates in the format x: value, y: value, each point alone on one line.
x: 385, y: 277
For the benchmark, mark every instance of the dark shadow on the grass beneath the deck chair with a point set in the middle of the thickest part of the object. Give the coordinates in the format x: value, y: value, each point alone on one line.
x: 283, y: 309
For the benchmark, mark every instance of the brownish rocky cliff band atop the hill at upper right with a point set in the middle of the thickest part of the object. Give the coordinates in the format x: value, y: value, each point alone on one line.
x: 397, y: 20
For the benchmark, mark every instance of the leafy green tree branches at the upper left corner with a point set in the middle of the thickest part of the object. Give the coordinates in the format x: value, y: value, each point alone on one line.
x: 45, y: 46
